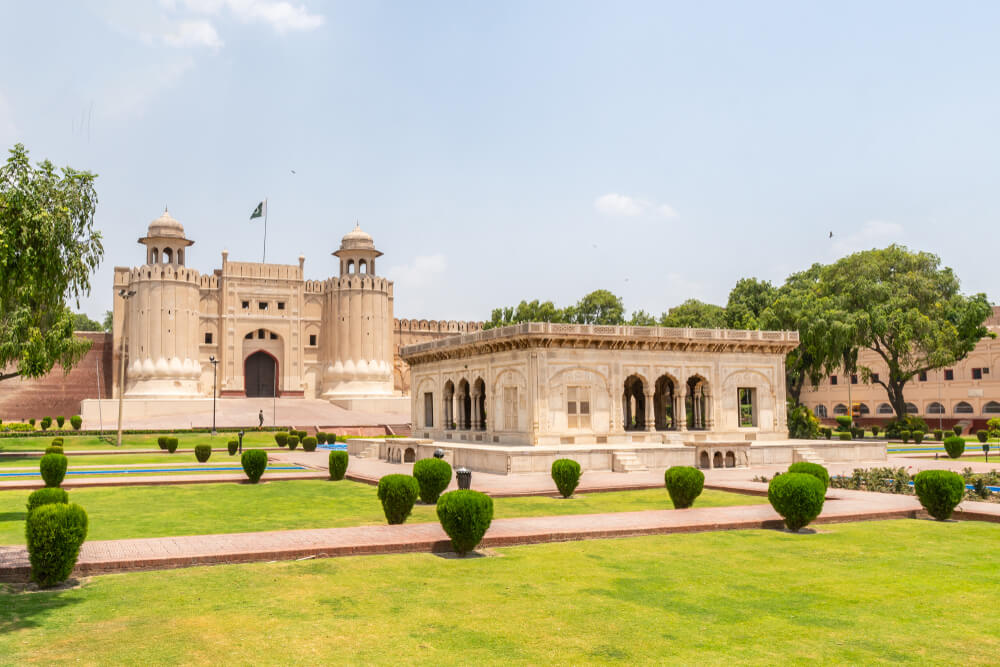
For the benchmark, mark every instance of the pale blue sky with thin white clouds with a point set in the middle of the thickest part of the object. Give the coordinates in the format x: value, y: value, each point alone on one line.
x: 520, y: 150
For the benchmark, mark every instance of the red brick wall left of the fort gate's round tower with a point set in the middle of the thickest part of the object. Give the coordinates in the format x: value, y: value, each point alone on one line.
x: 59, y: 393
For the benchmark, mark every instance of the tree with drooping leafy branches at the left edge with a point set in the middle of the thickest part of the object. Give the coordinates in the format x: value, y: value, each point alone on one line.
x: 48, y: 248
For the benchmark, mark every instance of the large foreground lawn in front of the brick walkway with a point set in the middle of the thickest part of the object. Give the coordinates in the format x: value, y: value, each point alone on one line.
x: 902, y: 591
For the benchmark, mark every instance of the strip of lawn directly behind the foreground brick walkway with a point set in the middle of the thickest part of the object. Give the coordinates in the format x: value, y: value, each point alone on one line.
x: 159, y: 511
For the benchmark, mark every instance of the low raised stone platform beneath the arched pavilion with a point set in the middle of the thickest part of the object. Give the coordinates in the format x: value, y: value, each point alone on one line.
x: 512, y: 459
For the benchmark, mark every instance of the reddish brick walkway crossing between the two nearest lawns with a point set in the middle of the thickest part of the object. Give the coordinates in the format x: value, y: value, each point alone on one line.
x: 169, y: 552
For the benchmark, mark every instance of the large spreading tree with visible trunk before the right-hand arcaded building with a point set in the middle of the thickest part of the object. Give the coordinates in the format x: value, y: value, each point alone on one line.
x: 908, y: 310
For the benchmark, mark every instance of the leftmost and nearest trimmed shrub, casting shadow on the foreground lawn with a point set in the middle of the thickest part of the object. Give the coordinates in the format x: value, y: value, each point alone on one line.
x: 54, y: 534
